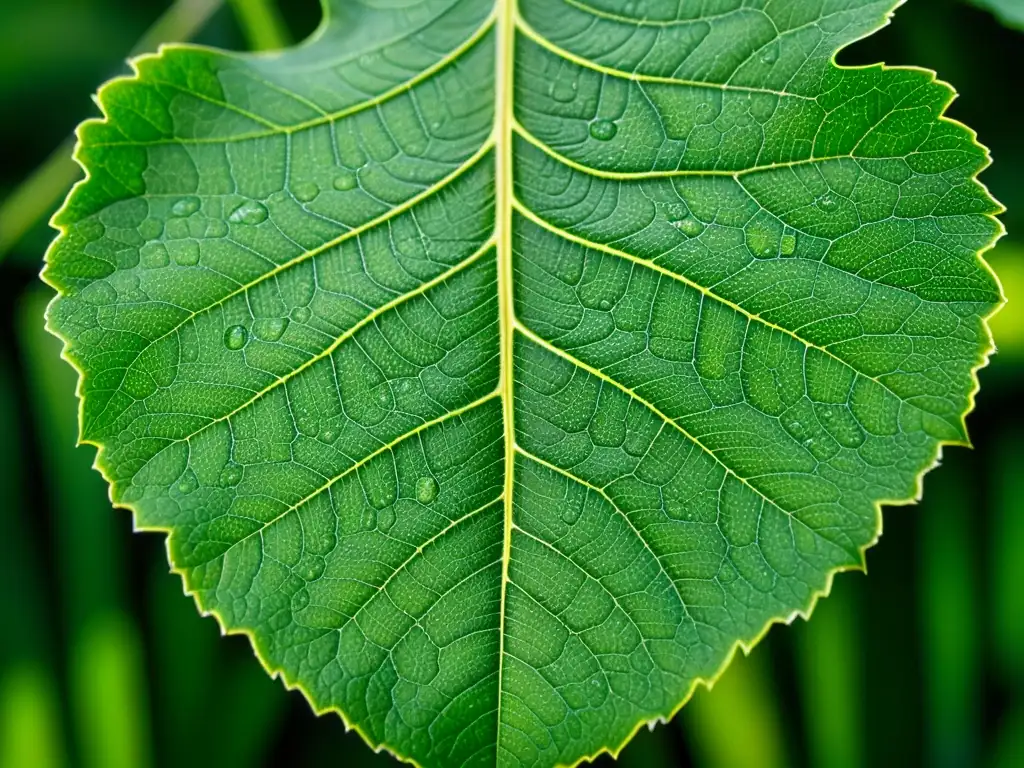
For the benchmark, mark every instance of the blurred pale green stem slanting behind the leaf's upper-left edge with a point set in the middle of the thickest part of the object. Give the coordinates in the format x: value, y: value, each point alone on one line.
x: 42, y: 192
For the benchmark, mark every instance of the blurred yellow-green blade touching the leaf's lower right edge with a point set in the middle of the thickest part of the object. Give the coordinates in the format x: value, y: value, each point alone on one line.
x: 738, y: 723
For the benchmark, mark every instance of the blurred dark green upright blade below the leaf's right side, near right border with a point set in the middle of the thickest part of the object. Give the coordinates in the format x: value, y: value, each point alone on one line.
x: 949, y: 604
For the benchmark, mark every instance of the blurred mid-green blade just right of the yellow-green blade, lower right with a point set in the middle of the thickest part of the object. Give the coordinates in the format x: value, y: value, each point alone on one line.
x: 830, y: 664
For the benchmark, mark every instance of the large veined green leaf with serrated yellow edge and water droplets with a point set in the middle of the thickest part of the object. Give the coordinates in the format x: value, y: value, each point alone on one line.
x: 498, y: 366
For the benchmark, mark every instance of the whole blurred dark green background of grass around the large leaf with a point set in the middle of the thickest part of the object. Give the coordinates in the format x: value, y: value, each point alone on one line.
x: 104, y: 664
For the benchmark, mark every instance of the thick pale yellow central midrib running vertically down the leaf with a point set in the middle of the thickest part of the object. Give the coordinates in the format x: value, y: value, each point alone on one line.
x: 504, y: 80
